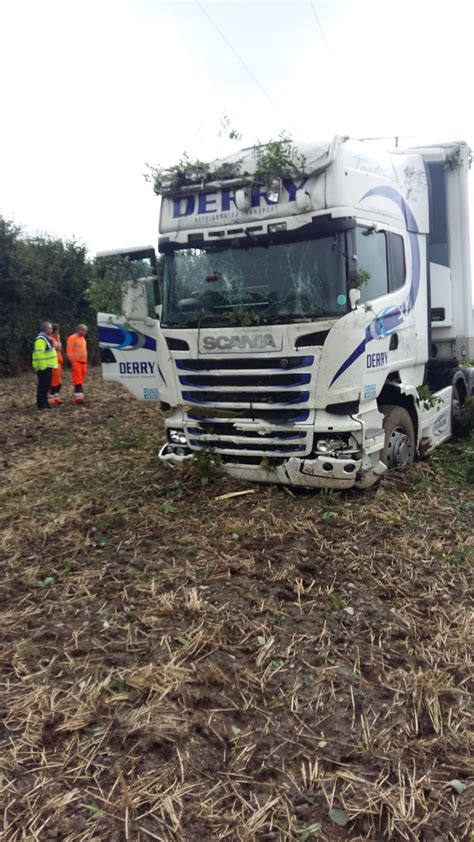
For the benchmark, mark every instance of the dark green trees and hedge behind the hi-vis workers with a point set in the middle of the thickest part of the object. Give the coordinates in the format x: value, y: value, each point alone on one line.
x: 43, y: 278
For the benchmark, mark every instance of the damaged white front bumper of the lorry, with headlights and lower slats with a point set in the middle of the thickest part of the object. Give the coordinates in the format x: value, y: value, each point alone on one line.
x: 287, y: 454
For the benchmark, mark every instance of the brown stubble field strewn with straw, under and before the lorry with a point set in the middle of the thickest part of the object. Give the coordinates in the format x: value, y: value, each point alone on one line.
x: 177, y: 664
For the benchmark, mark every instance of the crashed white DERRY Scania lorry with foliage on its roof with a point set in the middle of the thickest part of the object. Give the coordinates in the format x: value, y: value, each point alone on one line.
x: 298, y: 321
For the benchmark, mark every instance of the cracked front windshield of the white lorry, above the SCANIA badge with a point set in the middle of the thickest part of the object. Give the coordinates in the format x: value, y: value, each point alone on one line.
x: 256, y: 281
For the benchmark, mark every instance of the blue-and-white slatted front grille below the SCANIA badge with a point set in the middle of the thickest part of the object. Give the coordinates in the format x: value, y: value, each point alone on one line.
x: 239, y: 407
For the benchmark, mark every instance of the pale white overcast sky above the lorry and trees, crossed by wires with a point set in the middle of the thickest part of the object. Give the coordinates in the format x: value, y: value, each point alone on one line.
x: 92, y: 90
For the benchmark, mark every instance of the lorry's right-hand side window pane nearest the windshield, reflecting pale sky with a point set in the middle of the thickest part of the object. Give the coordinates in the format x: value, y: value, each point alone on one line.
x: 372, y: 263
